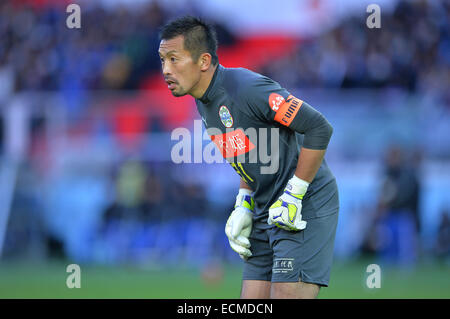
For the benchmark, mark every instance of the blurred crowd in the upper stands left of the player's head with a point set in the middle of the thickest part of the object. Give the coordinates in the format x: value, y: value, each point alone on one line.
x: 114, y: 48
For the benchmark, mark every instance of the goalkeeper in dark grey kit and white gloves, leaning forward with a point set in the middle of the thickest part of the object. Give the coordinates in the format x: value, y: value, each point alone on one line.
x: 284, y: 221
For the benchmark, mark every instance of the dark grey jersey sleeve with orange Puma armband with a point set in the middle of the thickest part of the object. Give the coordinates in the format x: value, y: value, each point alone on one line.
x: 270, y: 102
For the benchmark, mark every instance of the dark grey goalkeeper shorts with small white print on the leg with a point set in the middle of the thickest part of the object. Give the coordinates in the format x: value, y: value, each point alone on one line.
x: 279, y: 255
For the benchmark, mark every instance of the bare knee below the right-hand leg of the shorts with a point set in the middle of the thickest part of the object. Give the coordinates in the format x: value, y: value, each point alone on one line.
x: 294, y: 290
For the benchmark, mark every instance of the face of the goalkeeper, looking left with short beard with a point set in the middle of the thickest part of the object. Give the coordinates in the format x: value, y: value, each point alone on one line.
x: 180, y: 72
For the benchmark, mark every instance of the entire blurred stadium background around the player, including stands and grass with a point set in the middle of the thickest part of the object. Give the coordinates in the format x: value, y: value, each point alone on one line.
x: 86, y: 175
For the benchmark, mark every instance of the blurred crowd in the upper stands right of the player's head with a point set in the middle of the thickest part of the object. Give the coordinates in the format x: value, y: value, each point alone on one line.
x: 411, y: 51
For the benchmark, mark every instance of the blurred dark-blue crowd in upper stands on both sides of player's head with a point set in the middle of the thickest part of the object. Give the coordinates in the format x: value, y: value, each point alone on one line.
x: 117, y: 49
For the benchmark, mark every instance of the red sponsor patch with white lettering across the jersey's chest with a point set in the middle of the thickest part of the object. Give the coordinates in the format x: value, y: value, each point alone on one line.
x: 232, y: 144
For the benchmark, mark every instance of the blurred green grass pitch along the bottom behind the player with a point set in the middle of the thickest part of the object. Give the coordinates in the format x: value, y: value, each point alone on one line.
x: 48, y: 280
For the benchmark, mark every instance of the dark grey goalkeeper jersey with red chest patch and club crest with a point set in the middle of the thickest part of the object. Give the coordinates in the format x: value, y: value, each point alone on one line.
x: 259, y: 128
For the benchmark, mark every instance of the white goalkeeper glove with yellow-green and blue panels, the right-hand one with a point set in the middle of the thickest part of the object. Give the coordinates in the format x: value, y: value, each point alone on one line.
x: 286, y: 211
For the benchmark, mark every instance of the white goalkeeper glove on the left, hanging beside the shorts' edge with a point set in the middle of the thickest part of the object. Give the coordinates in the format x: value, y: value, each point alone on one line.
x: 239, y: 224
